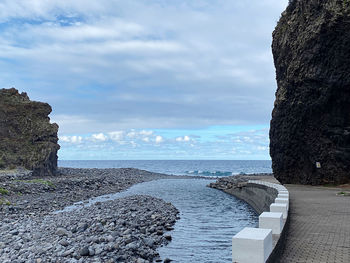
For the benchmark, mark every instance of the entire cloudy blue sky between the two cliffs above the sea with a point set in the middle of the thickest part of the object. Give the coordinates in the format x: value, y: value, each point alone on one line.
x: 146, y: 79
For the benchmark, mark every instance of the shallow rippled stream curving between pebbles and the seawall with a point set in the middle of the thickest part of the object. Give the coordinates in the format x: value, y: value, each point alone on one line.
x: 209, y: 218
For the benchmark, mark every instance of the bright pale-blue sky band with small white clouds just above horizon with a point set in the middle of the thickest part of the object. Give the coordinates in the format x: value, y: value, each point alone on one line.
x: 156, y: 144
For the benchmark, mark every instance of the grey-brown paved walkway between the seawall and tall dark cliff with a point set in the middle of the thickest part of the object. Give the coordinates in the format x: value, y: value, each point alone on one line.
x: 319, y: 229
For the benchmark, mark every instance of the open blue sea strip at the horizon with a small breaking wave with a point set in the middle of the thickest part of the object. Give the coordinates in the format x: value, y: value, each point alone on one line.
x: 180, y: 167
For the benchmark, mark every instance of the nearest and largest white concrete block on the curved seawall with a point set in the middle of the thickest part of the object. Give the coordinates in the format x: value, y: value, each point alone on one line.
x: 252, y: 245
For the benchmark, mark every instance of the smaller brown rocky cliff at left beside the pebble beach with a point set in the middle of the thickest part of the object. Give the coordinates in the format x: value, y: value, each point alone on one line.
x: 27, y: 139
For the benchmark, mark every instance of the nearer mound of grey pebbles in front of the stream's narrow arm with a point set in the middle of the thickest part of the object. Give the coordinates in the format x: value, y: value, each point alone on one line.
x: 124, y: 230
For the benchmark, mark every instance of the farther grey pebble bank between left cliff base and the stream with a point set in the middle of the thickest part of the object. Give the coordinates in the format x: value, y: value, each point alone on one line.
x: 70, y: 185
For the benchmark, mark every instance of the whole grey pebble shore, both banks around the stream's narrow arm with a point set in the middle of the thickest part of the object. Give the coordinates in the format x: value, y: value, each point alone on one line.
x: 124, y: 230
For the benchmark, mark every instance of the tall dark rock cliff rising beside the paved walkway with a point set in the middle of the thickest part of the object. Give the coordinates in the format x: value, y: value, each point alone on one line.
x: 310, y: 127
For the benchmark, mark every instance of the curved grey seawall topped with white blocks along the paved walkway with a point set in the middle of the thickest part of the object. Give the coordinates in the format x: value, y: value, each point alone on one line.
x: 261, y: 196
